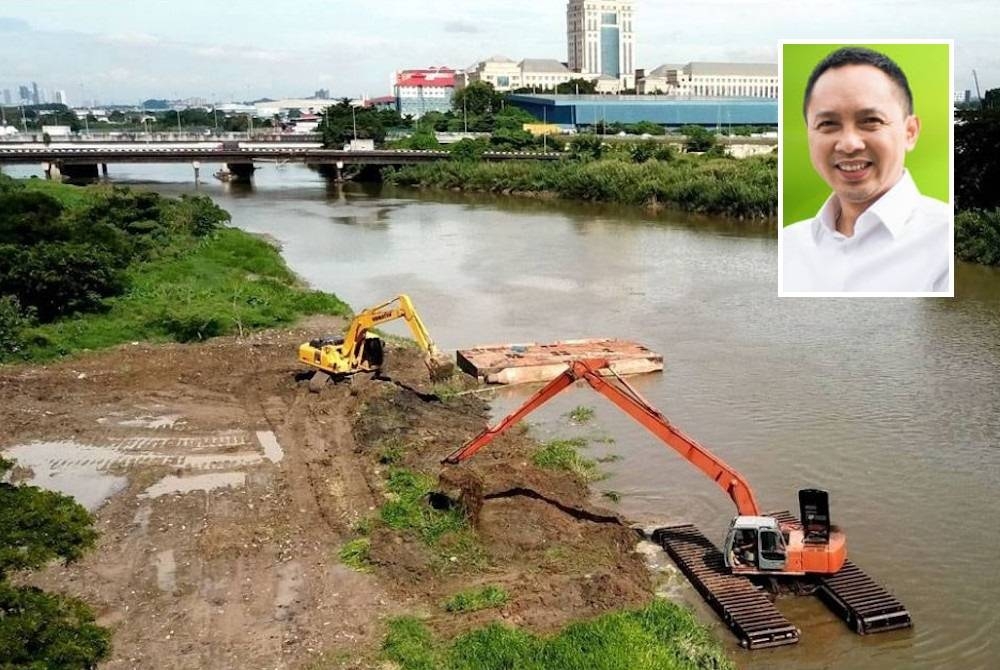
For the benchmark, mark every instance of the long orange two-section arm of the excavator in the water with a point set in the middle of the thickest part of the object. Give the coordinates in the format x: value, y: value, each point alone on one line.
x: 628, y: 400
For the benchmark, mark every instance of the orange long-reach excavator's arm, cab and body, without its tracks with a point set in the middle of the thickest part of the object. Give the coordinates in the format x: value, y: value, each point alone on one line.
x: 756, y: 544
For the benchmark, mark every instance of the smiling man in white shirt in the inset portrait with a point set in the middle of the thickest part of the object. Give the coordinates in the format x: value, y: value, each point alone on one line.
x: 876, y: 233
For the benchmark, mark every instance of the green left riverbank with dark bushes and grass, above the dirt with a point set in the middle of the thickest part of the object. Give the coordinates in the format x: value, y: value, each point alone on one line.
x: 91, y: 267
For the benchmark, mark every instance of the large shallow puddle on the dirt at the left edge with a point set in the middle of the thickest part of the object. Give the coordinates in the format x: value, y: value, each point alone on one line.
x: 86, y: 482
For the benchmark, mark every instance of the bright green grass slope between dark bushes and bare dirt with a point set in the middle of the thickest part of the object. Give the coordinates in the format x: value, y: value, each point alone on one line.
x: 229, y: 283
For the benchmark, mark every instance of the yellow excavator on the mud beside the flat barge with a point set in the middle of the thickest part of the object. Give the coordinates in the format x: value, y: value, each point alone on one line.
x: 360, y: 350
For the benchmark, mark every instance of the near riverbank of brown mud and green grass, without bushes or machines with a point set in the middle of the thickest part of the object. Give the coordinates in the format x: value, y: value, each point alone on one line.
x: 248, y: 522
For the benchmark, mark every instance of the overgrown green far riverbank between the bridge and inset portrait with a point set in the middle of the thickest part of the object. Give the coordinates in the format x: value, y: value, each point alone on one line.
x: 744, y: 188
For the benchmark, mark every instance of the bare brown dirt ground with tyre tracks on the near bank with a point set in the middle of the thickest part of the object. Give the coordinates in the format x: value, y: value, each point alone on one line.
x: 234, y: 489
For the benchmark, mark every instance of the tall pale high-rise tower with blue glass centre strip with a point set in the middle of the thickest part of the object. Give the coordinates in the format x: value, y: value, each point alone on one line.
x: 599, y: 37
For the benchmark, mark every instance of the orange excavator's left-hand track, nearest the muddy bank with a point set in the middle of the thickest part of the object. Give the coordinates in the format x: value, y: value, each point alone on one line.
x: 744, y: 607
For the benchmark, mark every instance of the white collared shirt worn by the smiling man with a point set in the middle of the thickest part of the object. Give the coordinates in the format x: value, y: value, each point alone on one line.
x: 902, y: 243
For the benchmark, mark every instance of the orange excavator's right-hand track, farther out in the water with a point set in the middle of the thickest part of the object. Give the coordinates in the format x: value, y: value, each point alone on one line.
x: 852, y: 595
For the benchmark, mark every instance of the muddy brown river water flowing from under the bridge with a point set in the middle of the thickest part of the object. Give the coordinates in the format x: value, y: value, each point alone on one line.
x: 892, y: 405
